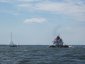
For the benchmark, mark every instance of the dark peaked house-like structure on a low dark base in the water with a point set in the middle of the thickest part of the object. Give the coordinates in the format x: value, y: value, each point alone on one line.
x: 58, y: 42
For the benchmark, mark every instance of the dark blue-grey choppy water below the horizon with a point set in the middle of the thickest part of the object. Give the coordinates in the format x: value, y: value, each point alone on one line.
x: 37, y: 54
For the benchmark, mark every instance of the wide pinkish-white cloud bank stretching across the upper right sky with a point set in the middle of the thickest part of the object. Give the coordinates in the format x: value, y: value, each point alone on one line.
x: 75, y: 9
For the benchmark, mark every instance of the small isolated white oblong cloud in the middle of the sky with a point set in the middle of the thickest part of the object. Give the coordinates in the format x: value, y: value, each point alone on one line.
x: 35, y: 20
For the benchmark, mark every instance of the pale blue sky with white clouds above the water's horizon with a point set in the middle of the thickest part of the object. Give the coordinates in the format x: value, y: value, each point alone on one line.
x: 38, y: 22
